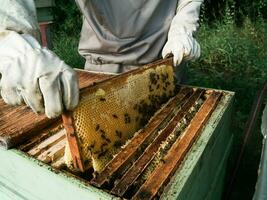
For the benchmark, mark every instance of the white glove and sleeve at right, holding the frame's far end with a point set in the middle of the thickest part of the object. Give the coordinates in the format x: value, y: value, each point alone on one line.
x: 181, y: 42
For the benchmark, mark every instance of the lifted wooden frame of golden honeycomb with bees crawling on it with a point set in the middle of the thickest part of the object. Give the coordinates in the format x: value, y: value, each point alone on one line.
x: 111, y: 111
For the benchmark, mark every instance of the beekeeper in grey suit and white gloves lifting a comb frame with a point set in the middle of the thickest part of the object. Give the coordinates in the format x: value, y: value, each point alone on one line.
x: 116, y: 36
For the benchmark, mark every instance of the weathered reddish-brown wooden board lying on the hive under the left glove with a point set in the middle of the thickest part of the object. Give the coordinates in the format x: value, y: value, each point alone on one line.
x: 19, y: 123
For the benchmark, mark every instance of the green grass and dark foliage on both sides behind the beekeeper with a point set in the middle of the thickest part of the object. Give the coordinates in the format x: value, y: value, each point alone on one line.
x: 233, y: 38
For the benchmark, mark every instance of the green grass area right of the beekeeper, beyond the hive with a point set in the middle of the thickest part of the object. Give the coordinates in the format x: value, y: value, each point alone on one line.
x: 232, y: 59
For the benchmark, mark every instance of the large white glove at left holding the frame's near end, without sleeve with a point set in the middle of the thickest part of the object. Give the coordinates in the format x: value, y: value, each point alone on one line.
x: 35, y: 75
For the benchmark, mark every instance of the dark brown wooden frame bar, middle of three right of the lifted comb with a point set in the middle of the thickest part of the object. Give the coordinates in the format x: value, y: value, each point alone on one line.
x: 144, y: 160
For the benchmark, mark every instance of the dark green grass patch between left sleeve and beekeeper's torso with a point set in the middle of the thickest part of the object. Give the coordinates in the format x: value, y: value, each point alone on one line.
x: 66, y: 32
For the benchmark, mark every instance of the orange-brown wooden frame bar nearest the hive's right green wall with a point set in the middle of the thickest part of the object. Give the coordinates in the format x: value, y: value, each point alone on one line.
x: 176, y: 154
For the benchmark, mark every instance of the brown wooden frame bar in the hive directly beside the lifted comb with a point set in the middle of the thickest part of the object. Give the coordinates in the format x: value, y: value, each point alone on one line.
x: 127, y: 153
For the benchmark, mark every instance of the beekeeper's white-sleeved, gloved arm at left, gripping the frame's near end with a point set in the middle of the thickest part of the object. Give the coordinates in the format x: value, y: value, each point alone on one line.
x: 28, y: 72
